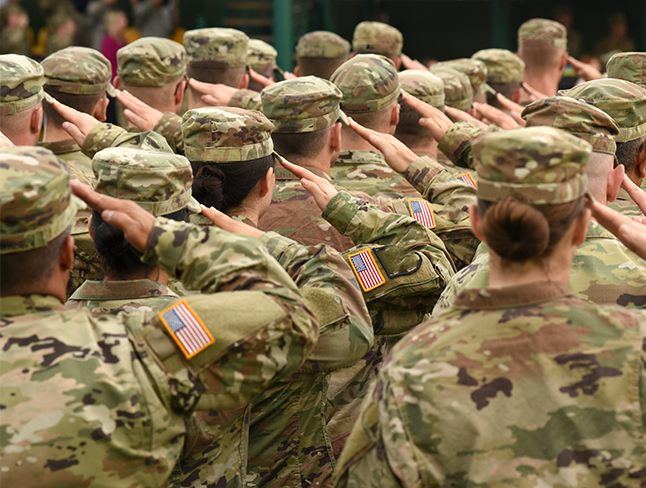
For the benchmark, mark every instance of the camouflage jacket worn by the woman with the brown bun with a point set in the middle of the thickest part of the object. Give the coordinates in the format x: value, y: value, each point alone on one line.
x: 453, y: 407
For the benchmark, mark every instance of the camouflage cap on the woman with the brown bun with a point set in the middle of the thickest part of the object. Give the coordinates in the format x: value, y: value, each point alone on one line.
x: 536, y: 165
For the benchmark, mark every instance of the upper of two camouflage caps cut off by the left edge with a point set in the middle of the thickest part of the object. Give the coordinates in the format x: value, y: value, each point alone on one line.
x: 21, y: 84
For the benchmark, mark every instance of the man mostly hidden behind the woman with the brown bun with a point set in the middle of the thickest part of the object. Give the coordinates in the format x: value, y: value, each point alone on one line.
x: 603, y: 270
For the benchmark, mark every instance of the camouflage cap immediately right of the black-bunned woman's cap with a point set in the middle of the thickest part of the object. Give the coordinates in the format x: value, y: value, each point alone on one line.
x: 305, y: 104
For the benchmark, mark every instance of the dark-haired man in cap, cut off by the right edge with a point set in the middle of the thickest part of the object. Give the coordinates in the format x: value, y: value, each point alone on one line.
x: 625, y: 102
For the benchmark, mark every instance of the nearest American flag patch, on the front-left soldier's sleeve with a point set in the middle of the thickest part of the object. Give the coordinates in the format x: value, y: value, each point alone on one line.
x: 189, y: 332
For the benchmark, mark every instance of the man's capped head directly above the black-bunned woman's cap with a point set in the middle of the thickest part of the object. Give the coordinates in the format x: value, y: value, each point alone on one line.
x: 216, y: 55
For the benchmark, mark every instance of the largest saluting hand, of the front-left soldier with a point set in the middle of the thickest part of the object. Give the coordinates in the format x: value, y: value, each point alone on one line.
x: 134, y: 221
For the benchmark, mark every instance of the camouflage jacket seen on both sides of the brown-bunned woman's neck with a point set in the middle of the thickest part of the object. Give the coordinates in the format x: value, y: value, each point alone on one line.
x: 603, y: 271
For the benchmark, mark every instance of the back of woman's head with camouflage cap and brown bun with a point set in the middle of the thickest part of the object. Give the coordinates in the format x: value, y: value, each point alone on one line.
x: 531, y: 187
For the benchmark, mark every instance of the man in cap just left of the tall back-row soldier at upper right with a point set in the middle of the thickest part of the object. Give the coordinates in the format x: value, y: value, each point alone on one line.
x: 504, y: 74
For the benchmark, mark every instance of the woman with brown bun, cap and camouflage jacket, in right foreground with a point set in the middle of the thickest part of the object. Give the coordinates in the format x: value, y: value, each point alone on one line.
x: 452, y: 406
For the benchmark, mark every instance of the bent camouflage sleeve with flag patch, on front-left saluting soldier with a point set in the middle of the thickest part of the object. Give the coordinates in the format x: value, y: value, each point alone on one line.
x: 259, y: 326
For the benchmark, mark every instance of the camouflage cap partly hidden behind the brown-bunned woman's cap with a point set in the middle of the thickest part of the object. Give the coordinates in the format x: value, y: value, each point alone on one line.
x: 576, y: 117
